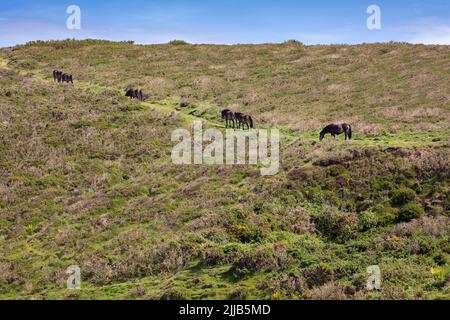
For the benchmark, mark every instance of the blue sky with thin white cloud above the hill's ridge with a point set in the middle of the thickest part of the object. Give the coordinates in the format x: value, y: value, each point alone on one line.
x: 227, y: 21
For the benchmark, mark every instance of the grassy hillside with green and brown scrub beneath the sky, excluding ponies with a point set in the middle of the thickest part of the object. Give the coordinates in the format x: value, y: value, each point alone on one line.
x: 87, y: 179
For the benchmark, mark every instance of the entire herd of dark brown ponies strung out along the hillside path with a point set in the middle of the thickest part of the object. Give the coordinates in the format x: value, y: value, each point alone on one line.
x: 235, y: 120
